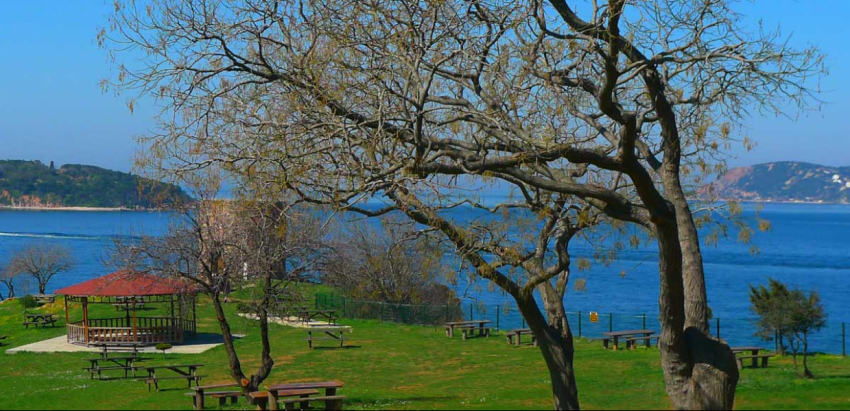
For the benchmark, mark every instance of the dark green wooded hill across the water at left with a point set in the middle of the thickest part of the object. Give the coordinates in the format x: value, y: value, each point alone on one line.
x: 34, y: 184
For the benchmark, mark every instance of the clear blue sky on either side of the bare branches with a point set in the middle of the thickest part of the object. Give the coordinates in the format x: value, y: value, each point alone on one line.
x: 51, y: 107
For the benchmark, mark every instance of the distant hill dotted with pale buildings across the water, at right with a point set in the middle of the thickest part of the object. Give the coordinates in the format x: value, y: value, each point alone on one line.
x: 784, y: 182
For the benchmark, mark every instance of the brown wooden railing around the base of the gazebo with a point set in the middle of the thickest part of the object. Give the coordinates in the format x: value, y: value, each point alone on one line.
x: 146, y: 330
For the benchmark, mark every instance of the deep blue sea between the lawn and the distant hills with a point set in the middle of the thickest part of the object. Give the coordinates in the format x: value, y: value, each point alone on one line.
x: 808, y: 247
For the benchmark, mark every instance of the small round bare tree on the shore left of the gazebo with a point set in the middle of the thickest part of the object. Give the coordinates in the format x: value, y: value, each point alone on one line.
x: 40, y: 261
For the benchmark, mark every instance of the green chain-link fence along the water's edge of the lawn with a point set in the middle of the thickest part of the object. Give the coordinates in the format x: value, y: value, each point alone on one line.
x: 832, y: 339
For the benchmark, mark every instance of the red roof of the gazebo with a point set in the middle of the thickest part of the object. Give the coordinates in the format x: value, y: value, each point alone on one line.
x: 125, y: 284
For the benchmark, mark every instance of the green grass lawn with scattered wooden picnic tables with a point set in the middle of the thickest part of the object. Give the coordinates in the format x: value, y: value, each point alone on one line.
x: 396, y: 367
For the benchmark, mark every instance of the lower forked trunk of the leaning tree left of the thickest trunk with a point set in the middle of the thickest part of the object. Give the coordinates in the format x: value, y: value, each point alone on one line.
x: 556, y: 344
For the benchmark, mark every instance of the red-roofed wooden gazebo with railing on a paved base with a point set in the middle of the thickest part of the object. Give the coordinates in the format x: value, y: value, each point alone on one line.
x: 131, y: 293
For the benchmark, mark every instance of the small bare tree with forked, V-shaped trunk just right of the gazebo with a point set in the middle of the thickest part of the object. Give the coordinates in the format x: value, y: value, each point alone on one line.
x: 221, y: 245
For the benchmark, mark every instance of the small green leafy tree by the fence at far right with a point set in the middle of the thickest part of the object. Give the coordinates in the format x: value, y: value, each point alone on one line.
x: 792, y: 314
